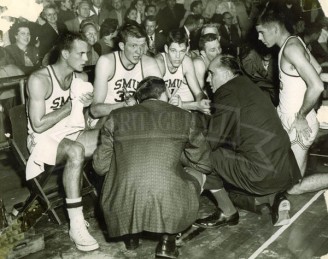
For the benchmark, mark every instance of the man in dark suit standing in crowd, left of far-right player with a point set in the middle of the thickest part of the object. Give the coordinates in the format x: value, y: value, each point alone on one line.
x: 230, y: 38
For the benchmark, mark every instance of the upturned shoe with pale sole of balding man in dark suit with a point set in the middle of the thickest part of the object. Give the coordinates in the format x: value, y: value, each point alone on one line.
x: 280, y: 210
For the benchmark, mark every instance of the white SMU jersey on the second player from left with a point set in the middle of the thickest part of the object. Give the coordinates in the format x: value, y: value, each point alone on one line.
x: 123, y: 80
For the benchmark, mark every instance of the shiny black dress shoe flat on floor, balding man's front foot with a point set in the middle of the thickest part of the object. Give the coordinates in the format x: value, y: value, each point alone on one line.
x: 217, y: 219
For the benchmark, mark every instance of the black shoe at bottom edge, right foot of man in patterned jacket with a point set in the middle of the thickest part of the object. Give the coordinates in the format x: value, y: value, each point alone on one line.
x: 167, y: 248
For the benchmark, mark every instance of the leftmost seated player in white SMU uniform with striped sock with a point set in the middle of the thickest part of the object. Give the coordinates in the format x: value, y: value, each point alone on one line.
x: 51, y: 140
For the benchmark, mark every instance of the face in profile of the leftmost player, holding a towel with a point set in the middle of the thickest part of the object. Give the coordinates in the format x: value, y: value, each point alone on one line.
x: 77, y: 56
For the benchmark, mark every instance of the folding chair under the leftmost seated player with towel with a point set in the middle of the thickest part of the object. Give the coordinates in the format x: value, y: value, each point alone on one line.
x: 48, y: 198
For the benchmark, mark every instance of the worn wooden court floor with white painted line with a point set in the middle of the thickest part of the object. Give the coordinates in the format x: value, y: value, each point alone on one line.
x: 254, y: 237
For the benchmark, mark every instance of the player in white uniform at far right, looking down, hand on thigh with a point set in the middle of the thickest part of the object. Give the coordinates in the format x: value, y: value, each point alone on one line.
x: 300, y: 89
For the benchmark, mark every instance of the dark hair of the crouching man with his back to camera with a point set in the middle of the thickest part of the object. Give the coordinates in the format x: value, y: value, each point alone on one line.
x: 150, y: 87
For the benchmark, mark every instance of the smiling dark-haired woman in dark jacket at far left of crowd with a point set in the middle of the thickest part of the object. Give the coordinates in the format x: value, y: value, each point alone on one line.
x: 20, y: 52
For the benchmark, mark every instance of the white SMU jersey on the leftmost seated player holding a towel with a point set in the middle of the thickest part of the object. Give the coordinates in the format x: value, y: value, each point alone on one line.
x: 58, y: 96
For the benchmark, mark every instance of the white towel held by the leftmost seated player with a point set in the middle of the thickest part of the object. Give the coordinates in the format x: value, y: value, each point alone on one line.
x: 78, y: 88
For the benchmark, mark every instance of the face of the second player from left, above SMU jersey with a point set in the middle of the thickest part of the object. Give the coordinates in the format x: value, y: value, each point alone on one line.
x: 134, y: 49
